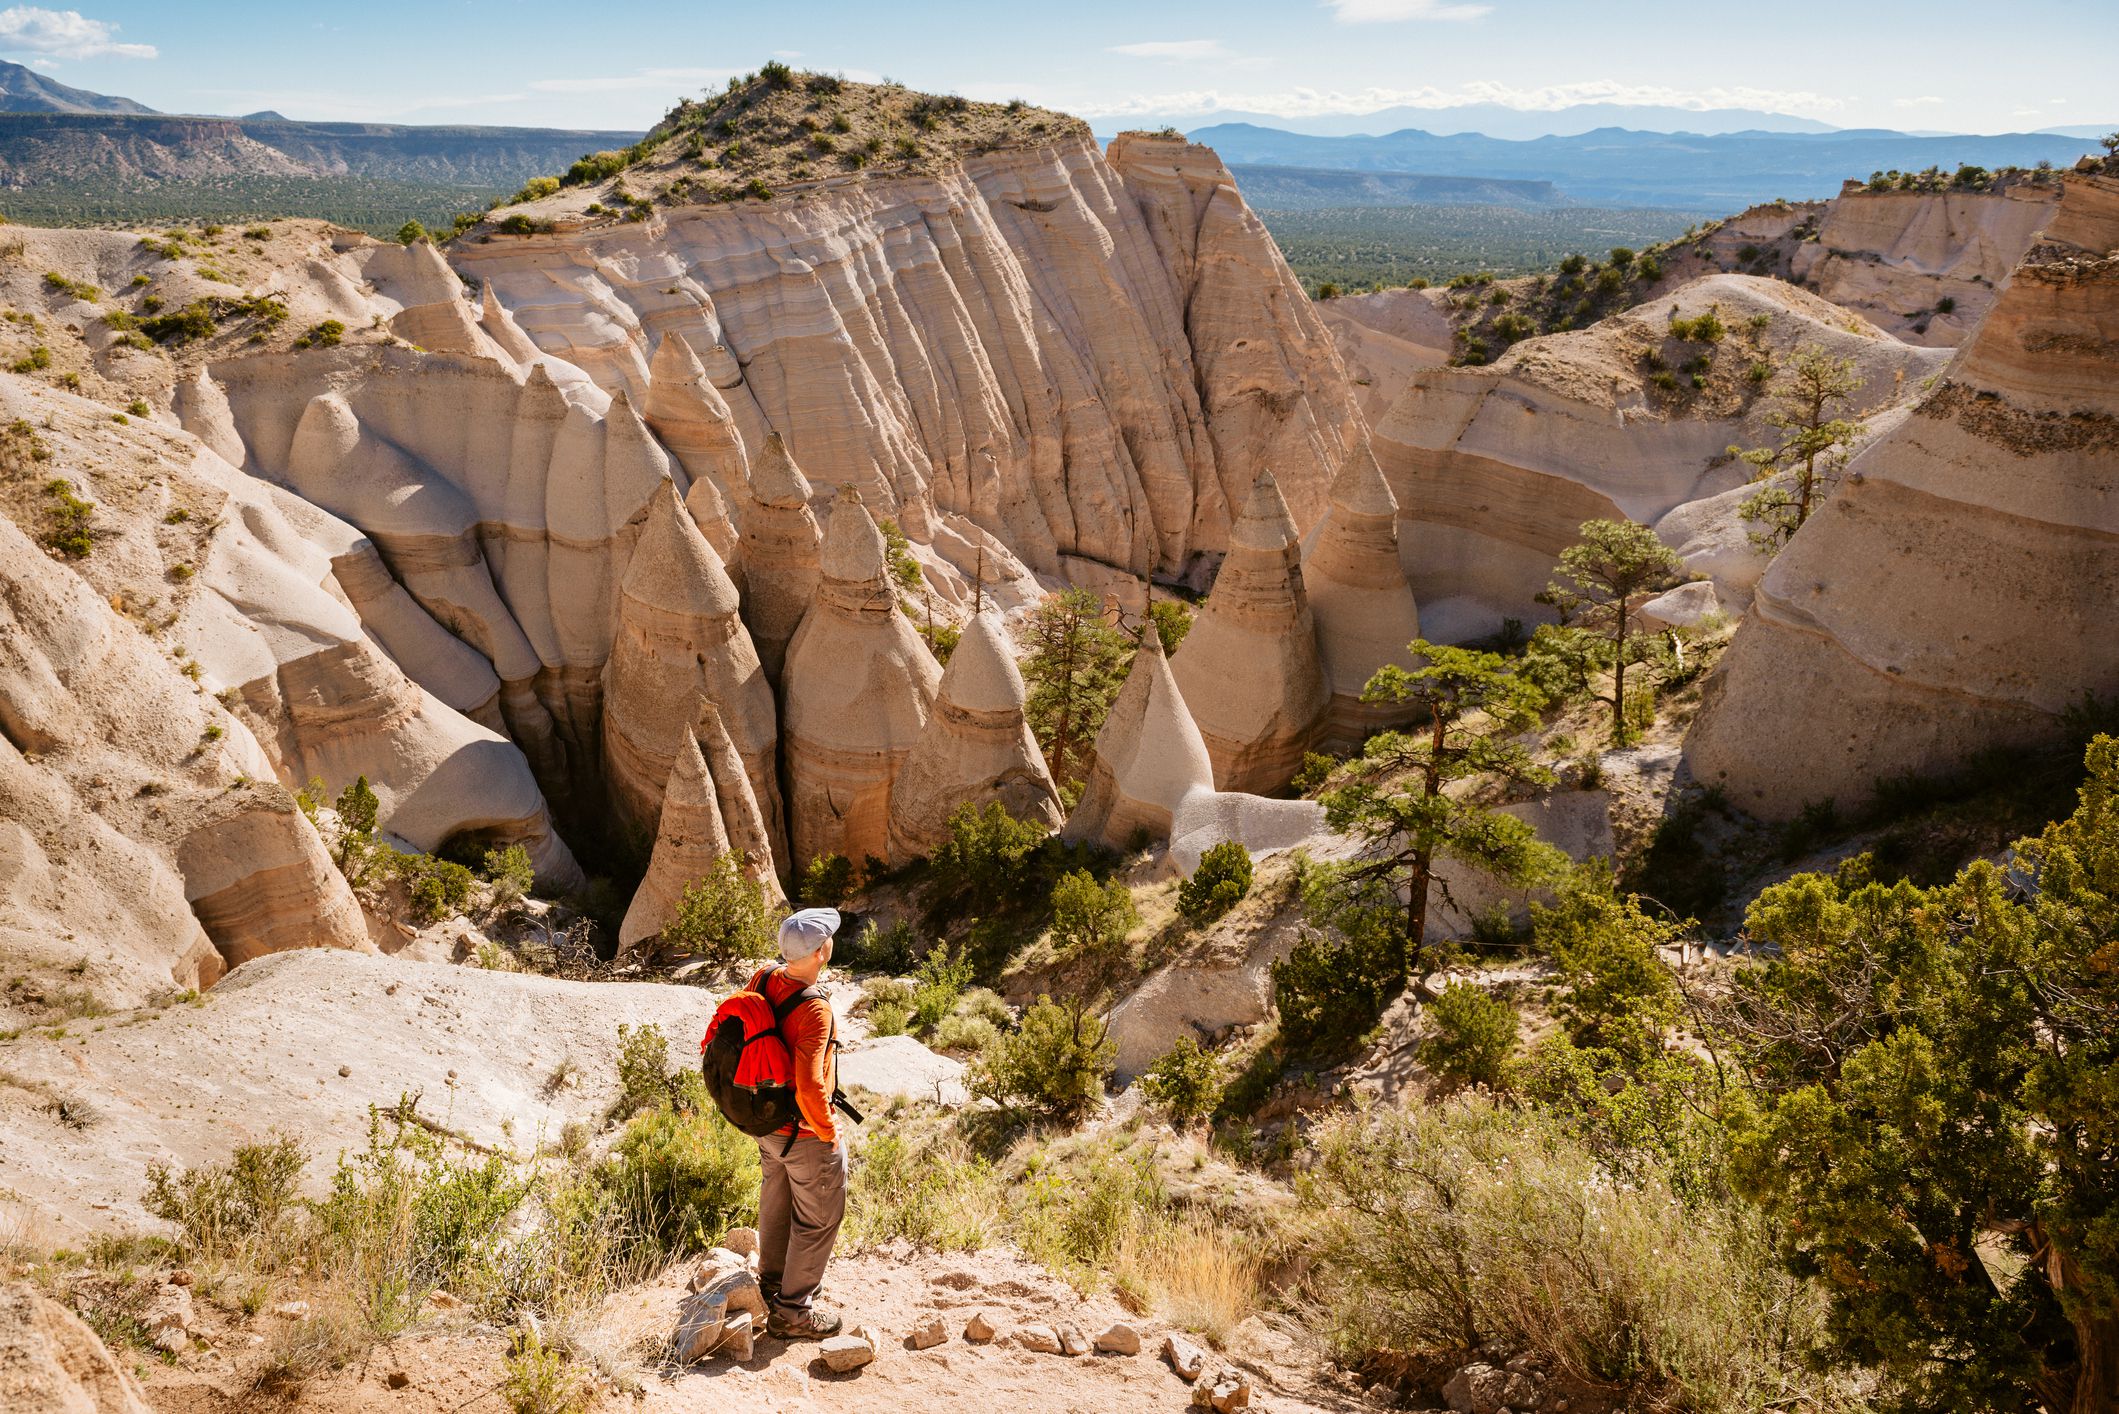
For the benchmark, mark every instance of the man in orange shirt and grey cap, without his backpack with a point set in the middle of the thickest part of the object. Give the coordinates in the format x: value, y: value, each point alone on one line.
x: 802, y: 1199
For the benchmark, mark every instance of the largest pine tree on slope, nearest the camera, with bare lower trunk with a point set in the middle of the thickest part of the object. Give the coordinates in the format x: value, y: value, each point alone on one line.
x: 1397, y: 802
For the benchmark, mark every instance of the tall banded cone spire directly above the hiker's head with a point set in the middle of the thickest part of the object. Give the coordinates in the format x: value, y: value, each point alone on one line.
x: 859, y: 688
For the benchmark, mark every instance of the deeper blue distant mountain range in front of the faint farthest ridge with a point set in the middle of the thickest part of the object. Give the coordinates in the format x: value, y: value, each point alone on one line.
x: 1643, y: 169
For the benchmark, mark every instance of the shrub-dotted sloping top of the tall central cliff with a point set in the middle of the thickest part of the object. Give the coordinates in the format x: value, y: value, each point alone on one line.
x: 781, y: 128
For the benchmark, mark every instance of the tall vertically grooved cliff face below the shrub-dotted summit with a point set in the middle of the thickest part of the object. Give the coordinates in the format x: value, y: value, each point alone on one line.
x: 1082, y: 357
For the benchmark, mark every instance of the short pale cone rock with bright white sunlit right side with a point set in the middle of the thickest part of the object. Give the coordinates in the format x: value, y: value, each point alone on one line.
x: 1147, y: 760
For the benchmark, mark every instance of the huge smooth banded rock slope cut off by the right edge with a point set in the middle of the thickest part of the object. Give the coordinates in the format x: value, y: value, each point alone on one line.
x: 1957, y: 595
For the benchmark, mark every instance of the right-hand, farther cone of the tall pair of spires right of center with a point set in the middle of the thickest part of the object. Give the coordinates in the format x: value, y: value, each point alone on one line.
x: 1361, y: 601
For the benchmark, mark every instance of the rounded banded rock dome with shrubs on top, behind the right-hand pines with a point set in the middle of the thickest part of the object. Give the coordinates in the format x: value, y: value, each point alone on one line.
x: 1497, y: 467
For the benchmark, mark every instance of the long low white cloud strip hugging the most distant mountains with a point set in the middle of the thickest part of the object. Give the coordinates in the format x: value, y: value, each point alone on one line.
x: 1315, y: 103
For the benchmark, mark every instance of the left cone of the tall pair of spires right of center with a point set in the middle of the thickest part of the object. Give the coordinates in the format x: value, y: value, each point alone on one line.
x: 1251, y: 669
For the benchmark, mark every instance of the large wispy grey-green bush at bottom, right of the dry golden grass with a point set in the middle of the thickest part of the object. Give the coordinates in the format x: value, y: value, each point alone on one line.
x: 1448, y: 1229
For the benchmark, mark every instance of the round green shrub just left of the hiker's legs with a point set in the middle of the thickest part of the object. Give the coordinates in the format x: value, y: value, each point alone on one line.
x: 683, y: 1178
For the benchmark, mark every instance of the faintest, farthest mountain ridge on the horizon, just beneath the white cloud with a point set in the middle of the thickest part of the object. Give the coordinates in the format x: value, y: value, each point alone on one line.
x: 1491, y: 120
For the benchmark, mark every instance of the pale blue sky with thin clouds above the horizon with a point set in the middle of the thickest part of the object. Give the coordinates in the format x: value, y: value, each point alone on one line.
x: 1942, y: 65
